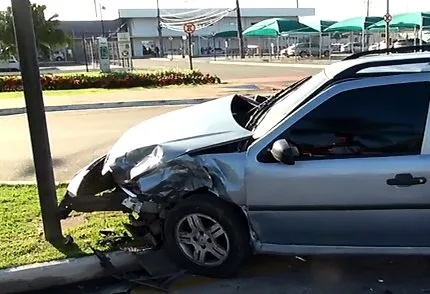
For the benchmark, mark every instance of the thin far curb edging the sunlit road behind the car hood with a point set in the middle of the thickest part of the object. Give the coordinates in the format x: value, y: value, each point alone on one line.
x: 107, y: 105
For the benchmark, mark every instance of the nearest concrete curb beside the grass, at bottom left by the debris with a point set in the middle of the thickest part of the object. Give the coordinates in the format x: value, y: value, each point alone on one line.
x: 43, y: 275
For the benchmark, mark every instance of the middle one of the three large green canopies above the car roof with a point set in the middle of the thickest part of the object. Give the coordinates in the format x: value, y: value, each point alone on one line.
x: 355, y: 24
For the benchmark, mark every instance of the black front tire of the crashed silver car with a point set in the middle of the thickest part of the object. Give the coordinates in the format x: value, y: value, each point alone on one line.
x: 232, y: 223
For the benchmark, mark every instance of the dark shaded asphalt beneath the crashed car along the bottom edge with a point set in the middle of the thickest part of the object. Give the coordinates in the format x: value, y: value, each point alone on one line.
x: 314, y: 275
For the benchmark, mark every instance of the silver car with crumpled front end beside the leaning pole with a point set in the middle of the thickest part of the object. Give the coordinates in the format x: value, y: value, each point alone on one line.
x: 336, y: 163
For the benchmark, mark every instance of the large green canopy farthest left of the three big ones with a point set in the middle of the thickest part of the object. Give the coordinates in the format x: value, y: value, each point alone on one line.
x: 276, y: 27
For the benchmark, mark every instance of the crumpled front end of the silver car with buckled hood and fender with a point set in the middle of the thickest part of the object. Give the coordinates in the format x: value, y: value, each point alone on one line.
x: 164, y: 160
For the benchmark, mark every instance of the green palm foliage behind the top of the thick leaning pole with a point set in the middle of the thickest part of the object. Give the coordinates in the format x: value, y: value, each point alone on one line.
x: 48, y: 34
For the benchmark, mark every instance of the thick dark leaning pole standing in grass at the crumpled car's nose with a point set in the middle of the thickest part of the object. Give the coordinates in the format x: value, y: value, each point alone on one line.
x: 26, y: 43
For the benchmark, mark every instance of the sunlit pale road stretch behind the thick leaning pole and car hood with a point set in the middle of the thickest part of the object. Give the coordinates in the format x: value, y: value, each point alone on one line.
x: 76, y: 138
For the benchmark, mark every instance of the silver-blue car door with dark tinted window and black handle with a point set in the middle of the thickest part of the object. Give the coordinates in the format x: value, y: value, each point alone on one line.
x: 361, y: 176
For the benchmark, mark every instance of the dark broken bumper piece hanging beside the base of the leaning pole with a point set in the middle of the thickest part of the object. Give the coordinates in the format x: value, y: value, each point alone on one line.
x: 109, y: 201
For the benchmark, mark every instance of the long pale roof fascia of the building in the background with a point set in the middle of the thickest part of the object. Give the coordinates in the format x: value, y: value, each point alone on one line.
x: 245, y: 12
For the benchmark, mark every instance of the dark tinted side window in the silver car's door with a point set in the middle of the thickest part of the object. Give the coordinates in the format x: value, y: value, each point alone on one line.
x: 374, y: 121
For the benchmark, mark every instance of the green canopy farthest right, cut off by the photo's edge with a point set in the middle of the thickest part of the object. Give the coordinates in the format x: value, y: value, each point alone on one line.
x: 413, y: 20
